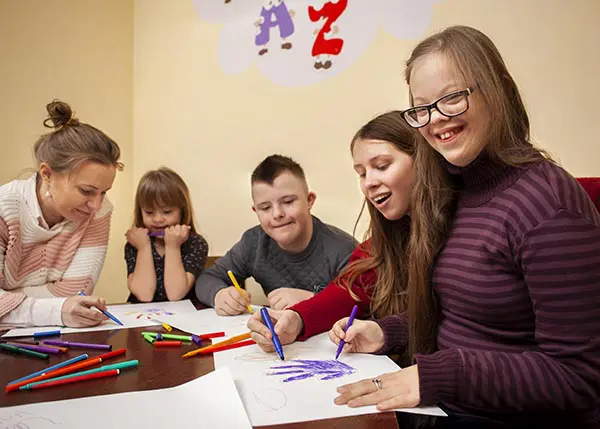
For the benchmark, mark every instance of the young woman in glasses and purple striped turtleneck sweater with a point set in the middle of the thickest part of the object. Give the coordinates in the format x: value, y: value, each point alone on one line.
x: 503, y: 300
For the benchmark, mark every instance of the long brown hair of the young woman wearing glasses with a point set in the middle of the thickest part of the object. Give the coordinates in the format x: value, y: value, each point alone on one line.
x: 478, y: 61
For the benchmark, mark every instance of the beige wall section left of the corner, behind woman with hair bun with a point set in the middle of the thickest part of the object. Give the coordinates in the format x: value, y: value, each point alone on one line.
x: 80, y: 51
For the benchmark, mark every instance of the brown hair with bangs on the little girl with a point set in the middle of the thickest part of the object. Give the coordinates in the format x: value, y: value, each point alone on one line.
x: 163, y: 188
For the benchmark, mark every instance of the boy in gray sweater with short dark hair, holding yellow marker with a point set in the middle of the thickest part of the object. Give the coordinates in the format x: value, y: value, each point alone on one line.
x: 291, y: 254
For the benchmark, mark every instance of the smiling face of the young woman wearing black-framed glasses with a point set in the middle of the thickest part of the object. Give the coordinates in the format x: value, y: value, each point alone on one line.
x: 459, y: 139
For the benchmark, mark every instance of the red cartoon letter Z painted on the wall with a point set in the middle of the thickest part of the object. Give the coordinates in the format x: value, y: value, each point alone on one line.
x: 325, y: 46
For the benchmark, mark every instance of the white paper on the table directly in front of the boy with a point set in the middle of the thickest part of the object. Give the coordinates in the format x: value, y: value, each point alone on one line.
x: 205, y: 321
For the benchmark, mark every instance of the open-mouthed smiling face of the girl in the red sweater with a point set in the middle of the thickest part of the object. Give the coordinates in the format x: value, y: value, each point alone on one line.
x: 386, y: 176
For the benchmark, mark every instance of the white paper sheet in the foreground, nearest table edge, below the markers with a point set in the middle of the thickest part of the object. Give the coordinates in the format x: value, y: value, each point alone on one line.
x: 210, y: 401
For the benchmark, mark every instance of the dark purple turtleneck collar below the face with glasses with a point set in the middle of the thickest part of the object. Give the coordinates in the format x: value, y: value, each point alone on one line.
x: 482, y: 179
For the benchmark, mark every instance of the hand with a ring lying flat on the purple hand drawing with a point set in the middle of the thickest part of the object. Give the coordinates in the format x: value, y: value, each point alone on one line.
x: 398, y: 389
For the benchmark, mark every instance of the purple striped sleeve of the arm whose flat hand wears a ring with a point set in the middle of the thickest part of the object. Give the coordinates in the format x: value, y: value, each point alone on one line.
x: 560, y: 262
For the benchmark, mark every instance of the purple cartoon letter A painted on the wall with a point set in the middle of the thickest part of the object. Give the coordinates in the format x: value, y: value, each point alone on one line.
x: 274, y: 15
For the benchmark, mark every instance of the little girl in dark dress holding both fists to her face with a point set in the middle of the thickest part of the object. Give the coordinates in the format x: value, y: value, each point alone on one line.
x: 164, y: 253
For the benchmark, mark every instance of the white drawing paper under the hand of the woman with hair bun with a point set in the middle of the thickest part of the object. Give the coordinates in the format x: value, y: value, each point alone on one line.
x: 131, y: 315
